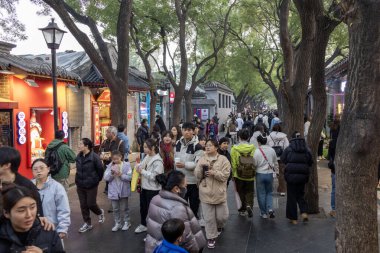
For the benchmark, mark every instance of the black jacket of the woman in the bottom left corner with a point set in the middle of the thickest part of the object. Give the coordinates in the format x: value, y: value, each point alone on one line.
x: 48, y: 241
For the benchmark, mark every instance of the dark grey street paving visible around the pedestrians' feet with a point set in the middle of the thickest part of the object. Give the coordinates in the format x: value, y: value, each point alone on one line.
x: 241, y: 235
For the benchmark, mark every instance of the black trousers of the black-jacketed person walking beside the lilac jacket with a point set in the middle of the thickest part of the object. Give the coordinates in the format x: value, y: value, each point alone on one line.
x: 87, y: 201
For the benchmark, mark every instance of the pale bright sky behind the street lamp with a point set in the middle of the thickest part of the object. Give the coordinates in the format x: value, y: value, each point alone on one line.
x: 35, y: 43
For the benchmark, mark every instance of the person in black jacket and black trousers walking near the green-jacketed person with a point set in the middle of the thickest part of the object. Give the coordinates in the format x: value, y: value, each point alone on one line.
x: 89, y: 174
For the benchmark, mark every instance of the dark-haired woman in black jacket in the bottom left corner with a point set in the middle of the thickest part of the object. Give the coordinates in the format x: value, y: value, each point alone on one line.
x: 20, y: 228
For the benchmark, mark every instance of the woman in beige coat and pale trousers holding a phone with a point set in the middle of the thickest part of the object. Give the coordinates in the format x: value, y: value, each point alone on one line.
x: 213, y: 171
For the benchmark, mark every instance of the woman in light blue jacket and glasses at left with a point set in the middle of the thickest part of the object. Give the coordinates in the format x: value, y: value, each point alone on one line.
x: 55, y: 202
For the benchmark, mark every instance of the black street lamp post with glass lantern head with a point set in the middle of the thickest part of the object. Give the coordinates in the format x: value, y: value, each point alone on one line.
x: 53, y: 37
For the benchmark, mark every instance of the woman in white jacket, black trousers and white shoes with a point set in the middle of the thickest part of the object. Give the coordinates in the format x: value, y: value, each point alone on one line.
x: 150, y: 167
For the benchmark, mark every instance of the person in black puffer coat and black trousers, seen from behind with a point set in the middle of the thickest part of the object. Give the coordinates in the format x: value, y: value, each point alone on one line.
x: 297, y: 159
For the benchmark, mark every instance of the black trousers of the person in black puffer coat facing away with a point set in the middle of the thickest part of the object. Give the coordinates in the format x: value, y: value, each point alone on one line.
x: 296, y: 193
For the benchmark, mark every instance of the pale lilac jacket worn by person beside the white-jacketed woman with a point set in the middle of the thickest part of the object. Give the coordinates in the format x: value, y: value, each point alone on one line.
x: 119, y: 187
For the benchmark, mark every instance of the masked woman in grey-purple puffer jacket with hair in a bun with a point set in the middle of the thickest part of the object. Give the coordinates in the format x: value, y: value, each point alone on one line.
x: 169, y: 204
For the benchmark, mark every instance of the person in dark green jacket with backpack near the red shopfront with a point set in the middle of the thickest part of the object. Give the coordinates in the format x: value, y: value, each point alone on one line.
x: 66, y: 156
